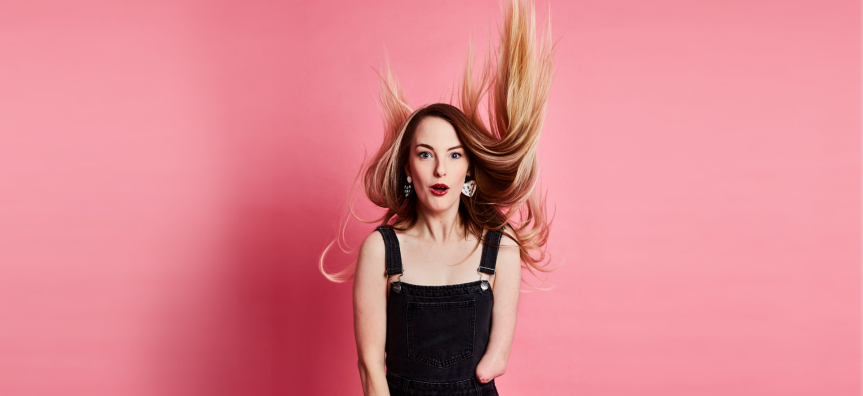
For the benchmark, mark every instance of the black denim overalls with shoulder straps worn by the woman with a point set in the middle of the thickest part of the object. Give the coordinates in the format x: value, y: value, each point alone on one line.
x: 436, y: 335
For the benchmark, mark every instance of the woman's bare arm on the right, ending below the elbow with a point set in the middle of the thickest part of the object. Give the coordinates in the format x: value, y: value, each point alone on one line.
x: 507, y: 284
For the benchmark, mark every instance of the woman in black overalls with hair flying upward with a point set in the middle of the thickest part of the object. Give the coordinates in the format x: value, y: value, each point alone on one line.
x: 436, y: 285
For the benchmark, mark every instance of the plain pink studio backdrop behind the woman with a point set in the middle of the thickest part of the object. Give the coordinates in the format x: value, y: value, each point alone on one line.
x: 171, y: 170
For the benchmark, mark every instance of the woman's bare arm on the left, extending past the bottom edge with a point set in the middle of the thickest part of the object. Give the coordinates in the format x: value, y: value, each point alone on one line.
x: 370, y: 315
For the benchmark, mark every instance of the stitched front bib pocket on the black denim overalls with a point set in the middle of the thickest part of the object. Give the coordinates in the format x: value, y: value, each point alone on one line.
x: 441, y: 333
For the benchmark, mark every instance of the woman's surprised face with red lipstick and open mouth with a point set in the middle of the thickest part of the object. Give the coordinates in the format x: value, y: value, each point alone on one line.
x: 436, y: 159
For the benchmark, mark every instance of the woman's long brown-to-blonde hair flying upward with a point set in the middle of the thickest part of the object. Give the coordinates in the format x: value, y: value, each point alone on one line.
x: 502, y: 155
